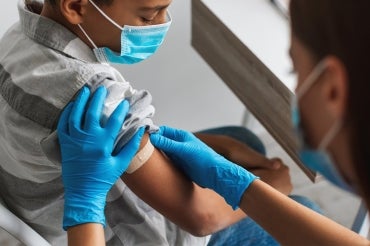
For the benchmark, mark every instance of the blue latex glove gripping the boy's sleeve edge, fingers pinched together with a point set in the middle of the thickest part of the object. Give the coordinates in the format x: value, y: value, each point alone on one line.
x: 203, y: 165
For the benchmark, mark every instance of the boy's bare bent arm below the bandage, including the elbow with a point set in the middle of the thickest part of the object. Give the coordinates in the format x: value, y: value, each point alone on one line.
x: 196, y: 210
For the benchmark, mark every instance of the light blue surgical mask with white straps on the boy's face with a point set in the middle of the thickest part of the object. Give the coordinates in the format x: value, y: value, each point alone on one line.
x: 137, y: 42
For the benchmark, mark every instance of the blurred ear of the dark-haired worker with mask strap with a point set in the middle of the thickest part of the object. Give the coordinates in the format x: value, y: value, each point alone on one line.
x: 335, y: 88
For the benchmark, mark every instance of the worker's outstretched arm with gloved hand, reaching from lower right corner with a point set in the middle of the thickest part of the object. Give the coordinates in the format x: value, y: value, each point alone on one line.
x: 287, y: 221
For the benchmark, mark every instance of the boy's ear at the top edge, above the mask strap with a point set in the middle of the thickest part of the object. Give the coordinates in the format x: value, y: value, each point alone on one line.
x: 73, y: 10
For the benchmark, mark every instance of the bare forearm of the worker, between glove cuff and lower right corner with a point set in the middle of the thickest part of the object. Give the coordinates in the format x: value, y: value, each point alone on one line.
x: 290, y: 223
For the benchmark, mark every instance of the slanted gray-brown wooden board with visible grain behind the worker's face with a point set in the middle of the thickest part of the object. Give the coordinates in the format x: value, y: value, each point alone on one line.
x: 265, y: 96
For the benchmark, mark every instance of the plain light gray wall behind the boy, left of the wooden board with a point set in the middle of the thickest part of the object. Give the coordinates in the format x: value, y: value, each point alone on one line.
x: 186, y: 92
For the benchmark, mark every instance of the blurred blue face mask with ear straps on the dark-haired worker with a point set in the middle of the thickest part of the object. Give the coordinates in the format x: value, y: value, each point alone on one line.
x: 317, y: 159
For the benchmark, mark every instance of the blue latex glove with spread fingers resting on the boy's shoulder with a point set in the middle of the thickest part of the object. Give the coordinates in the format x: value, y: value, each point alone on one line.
x: 89, y: 169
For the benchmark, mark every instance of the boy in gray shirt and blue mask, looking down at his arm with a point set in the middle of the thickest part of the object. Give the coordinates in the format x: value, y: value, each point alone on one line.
x: 53, y: 51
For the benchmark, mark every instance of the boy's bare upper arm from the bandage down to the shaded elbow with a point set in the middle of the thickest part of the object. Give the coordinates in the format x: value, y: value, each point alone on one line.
x: 161, y: 185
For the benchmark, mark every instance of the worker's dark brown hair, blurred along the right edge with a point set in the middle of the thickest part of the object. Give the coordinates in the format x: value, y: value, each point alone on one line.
x: 341, y: 28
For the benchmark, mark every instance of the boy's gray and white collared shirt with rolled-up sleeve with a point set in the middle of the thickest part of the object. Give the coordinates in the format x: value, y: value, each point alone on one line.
x: 42, y: 67
